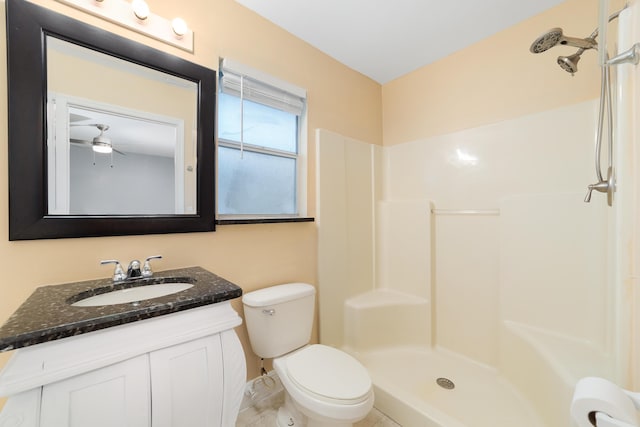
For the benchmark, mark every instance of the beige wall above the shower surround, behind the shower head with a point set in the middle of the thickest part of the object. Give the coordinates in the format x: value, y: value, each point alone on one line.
x: 493, y: 80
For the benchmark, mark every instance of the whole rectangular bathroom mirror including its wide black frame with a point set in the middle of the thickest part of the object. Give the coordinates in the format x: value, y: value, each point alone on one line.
x: 106, y: 136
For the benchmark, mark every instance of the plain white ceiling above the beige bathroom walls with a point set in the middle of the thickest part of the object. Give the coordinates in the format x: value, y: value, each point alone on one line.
x: 387, y: 39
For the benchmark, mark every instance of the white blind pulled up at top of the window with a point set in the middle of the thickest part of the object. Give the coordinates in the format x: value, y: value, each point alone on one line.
x: 253, y: 85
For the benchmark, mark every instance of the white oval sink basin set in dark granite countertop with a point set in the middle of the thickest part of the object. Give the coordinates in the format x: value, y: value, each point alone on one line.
x: 133, y: 294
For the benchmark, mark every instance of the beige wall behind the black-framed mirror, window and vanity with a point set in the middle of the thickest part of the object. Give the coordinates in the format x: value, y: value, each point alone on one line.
x: 253, y: 256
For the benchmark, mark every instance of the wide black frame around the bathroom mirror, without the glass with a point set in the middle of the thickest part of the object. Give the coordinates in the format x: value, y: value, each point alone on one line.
x: 27, y: 28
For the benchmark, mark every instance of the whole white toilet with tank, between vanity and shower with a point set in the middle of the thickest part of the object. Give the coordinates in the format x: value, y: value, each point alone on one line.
x: 324, y: 387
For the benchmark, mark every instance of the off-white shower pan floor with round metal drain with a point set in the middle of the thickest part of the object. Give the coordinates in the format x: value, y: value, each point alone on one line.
x: 406, y: 387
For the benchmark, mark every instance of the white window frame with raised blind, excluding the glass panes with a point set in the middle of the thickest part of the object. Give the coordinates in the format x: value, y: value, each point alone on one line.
x: 261, y: 82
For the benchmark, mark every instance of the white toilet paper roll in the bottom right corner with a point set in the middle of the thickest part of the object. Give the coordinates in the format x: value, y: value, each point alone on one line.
x: 593, y: 395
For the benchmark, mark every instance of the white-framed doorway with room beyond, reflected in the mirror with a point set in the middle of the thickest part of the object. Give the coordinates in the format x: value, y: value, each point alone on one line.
x: 147, y: 158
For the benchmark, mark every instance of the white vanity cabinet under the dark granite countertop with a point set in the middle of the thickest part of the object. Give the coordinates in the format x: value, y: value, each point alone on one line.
x: 178, y: 370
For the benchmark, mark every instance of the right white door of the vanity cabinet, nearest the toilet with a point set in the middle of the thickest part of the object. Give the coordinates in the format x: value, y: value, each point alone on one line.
x: 187, y: 384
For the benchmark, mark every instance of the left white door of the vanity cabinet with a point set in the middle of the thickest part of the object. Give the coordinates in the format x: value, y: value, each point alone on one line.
x: 117, y: 395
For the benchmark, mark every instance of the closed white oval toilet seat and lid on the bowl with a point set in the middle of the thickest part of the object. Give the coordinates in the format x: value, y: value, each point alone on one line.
x: 329, y: 374
